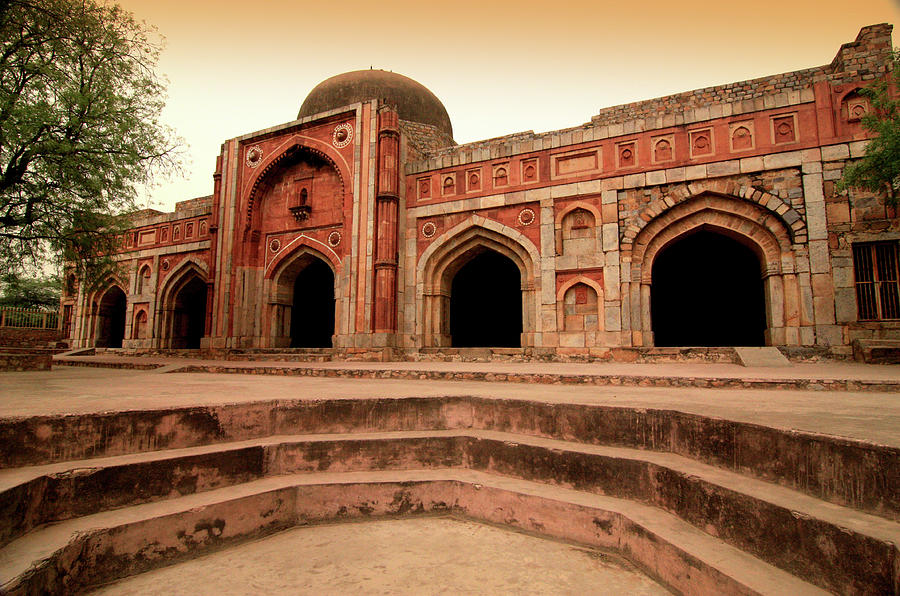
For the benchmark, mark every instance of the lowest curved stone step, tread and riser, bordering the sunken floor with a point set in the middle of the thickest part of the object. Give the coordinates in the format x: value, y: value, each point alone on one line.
x: 101, y: 547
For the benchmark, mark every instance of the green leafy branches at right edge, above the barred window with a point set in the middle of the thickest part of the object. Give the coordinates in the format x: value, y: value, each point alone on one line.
x: 878, y: 171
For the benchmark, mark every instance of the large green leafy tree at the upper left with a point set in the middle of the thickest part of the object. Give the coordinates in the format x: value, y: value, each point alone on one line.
x: 80, y: 129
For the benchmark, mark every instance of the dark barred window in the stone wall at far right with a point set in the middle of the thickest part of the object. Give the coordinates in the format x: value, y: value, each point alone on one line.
x: 875, y: 267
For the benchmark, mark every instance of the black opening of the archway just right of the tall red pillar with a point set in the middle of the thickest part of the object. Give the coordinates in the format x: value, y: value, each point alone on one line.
x: 486, y: 303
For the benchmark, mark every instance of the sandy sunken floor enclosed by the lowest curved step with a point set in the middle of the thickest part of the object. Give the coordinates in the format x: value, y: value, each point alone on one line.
x: 402, y: 556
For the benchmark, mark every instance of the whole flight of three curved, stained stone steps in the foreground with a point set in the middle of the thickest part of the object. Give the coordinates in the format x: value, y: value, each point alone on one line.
x: 706, y: 506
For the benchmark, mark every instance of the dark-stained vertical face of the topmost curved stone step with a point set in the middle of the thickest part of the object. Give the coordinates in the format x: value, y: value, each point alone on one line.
x: 843, y: 471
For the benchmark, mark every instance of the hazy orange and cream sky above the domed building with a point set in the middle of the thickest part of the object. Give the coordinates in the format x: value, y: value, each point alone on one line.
x: 499, y: 67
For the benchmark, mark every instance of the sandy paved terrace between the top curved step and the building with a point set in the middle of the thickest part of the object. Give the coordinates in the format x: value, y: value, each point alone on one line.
x: 870, y: 416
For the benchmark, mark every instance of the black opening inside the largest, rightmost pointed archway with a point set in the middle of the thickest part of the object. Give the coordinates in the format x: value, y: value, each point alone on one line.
x: 707, y: 291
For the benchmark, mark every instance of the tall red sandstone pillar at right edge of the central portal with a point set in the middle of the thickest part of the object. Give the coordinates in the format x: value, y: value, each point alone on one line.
x: 386, y: 224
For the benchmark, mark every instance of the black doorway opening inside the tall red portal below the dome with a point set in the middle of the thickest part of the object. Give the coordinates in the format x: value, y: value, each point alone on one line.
x: 312, y: 314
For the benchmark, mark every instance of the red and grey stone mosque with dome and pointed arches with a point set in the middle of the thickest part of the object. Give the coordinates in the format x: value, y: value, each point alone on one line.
x: 706, y: 218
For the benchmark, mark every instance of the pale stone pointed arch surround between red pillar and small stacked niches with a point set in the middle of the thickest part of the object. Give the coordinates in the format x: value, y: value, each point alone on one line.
x: 454, y: 248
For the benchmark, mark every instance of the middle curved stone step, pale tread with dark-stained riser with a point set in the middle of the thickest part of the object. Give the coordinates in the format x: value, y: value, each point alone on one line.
x: 833, y: 546
